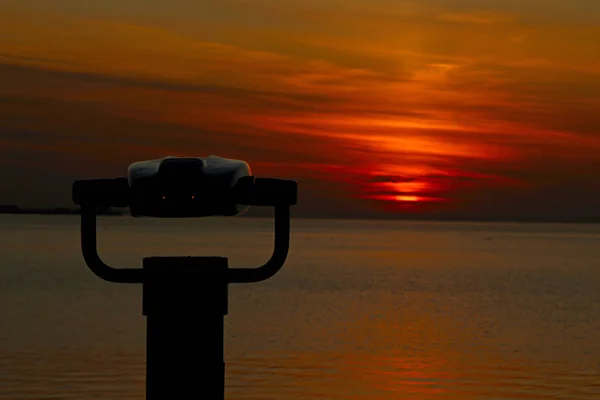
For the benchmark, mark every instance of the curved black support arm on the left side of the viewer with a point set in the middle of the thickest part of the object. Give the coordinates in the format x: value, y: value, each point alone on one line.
x: 90, y: 253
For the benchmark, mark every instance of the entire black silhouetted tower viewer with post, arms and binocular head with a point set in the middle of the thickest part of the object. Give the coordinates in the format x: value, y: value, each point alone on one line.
x: 185, y: 298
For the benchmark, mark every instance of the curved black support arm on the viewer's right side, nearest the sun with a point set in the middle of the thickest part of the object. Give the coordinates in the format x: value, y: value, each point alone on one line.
x: 282, y: 245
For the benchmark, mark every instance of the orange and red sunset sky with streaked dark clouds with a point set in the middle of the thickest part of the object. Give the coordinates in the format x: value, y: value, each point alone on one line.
x: 470, y: 109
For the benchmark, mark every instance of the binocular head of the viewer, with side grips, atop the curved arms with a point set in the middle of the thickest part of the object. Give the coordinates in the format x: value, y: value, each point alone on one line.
x: 176, y: 187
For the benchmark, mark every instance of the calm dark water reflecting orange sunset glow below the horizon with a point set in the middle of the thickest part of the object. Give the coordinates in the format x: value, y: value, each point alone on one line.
x: 362, y: 310
